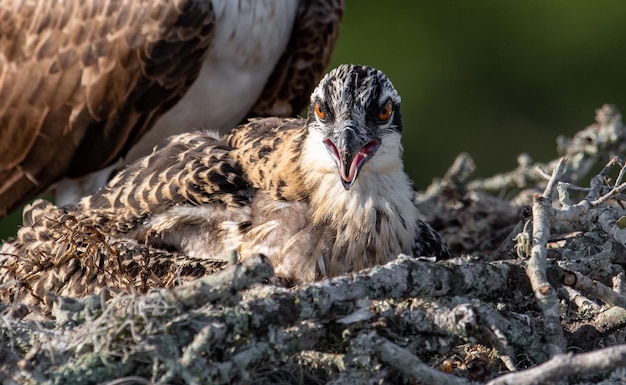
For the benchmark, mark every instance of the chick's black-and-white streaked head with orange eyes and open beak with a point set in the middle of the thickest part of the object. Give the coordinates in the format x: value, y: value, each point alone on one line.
x: 355, y: 114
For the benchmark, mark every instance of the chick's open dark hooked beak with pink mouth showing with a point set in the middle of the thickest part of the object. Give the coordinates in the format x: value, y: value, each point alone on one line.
x: 350, y: 151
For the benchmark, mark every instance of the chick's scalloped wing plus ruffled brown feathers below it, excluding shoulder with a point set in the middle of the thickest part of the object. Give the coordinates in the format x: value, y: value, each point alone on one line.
x: 105, y: 240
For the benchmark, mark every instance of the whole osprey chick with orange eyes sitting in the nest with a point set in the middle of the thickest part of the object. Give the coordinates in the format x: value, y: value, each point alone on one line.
x: 320, y: 197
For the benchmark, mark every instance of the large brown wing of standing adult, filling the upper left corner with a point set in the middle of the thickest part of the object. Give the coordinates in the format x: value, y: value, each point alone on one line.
x: 82, y: 80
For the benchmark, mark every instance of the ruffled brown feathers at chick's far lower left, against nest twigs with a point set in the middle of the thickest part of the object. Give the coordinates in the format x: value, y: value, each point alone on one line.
x: 59, y: 253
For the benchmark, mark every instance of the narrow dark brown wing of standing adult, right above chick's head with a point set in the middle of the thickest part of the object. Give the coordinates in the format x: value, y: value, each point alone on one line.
x: 301, y: 67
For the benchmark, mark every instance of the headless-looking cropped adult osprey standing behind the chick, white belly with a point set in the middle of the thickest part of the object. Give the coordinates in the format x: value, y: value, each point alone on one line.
x: 82, y: 81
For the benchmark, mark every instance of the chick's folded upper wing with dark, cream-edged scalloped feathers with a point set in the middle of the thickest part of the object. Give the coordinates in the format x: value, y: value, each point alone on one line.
x: 192, y: 169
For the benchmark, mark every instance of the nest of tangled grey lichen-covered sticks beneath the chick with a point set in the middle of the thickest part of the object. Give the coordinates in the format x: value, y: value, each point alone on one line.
x: 537, y: 275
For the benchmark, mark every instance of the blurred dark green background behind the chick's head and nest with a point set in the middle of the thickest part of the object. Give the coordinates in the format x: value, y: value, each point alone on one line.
x: 493, y: 78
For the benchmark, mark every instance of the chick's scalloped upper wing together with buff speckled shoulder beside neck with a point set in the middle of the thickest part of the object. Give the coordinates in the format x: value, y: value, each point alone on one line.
x: 186, y: 170
